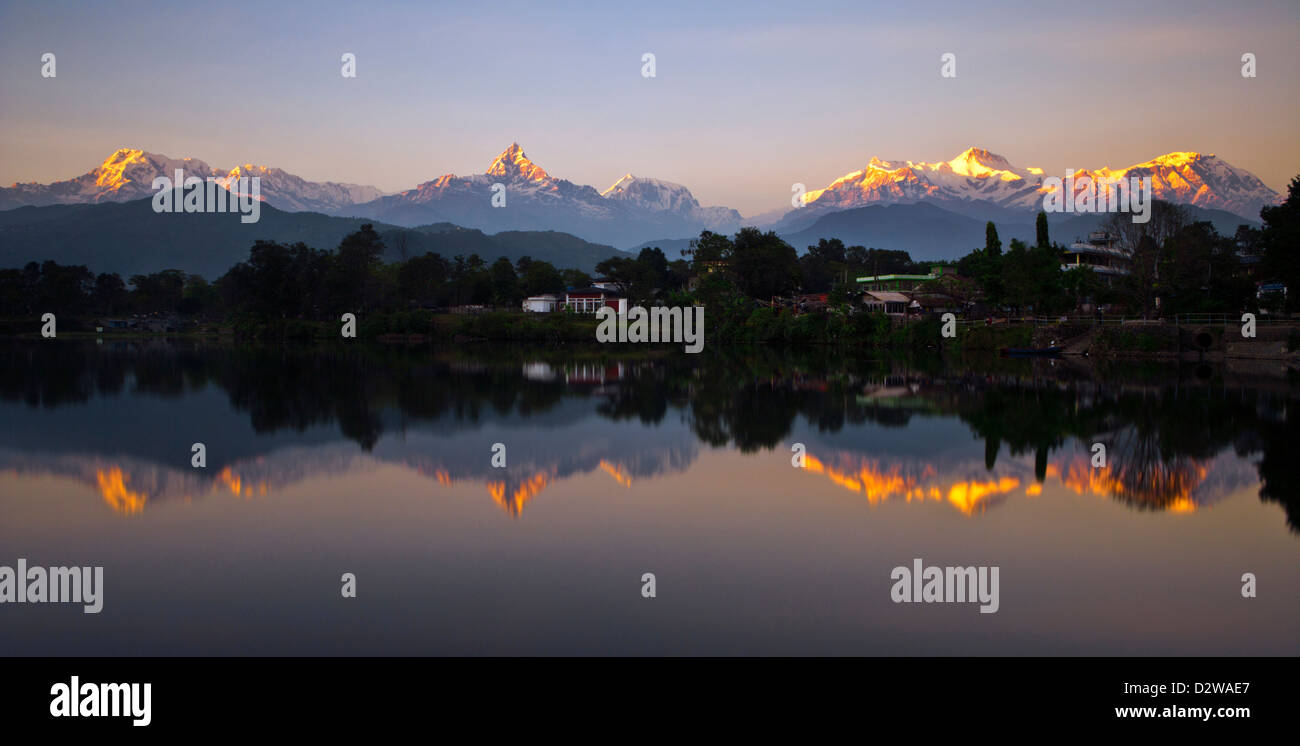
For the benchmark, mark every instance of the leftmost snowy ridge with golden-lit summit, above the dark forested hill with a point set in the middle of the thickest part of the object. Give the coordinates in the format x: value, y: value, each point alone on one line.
x: 128, y: 175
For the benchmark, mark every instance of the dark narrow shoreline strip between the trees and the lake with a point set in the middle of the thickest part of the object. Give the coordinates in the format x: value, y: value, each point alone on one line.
x: 1276, y: 342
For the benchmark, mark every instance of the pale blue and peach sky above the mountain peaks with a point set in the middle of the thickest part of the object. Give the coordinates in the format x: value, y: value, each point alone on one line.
x: 748, y: 99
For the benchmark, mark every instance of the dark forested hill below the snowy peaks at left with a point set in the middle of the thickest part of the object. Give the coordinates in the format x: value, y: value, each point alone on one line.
x: 129, y: 238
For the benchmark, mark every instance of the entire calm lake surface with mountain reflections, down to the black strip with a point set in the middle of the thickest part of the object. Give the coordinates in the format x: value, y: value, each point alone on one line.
x: 378, y: 462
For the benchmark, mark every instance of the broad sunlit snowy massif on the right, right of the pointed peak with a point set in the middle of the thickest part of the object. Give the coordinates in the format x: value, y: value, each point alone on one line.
x: 978, y: 177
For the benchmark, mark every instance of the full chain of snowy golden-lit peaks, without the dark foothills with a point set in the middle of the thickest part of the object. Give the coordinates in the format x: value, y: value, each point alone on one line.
x: 977, y: 184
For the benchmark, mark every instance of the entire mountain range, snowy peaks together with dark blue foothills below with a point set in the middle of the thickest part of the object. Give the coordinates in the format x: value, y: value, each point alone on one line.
x: 931, y: 210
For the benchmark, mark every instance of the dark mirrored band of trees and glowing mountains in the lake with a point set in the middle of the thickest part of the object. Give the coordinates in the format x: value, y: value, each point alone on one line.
x: 120, y: 418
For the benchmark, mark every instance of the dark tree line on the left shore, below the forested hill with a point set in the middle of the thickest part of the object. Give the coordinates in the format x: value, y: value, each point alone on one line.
x: 288, y: 281
